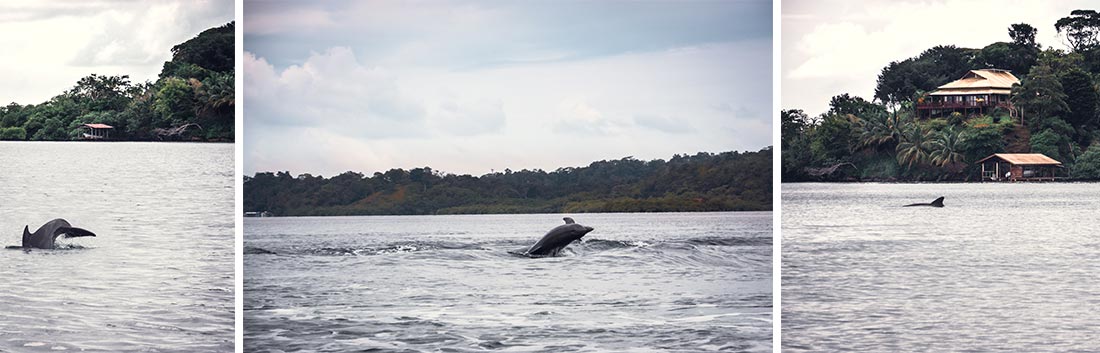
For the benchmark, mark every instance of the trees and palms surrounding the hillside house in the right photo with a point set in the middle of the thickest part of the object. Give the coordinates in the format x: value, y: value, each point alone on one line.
x: 885, y: 140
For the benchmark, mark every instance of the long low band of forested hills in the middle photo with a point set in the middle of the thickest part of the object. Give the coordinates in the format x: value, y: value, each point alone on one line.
x: 725, y: 182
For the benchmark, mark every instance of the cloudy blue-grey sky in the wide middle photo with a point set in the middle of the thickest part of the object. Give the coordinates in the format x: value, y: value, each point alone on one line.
x: 471, y: 87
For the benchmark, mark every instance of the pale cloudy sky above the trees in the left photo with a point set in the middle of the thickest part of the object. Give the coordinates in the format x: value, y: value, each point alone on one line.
x: 48, y: 46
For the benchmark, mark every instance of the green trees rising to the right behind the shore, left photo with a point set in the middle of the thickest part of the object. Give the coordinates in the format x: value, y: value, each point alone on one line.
x: 196, y: 87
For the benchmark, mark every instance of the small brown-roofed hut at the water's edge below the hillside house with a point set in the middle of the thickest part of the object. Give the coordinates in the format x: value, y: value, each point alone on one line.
x: 1019, y: 168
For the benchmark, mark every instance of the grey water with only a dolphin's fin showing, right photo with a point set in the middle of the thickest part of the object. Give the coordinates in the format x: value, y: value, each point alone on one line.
x: 1004, y: 268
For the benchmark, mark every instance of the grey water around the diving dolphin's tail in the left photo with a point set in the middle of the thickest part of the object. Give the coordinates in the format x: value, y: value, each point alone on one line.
x: 159, y: 278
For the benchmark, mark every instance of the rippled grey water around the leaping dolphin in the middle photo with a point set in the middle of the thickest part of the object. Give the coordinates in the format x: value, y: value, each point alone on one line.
x: 653, y: 282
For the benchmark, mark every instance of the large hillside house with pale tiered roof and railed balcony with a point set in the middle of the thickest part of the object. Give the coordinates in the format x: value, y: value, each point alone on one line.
x: 978, y: 92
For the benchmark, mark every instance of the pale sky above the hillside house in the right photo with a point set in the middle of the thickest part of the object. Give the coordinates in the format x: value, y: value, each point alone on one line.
x: 834, y: 47
